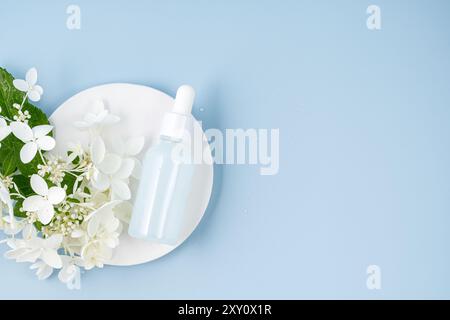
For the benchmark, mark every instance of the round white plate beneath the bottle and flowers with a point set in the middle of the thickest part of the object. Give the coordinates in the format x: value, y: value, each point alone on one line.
x: 141, y: 110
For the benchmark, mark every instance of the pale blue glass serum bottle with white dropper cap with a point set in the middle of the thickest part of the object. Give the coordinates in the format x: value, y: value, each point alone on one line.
x: 161, y: 199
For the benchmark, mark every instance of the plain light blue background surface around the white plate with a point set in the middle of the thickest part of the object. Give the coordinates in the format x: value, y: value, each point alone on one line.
x: 364, y: 123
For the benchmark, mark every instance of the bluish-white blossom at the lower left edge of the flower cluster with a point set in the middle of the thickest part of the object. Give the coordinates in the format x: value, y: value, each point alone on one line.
x: 33, y: 248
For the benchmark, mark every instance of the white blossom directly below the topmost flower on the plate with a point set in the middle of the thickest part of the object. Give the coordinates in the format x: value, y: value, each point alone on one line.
x: 110, y: 171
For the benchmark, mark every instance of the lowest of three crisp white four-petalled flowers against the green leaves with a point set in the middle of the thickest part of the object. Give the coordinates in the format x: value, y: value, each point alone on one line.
x: 42, y: 203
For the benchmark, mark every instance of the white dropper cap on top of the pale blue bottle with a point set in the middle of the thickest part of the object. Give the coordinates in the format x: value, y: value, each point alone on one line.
x: 174, y: 122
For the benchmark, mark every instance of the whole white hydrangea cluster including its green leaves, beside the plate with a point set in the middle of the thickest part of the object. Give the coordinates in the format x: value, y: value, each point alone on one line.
x: 61, y: 212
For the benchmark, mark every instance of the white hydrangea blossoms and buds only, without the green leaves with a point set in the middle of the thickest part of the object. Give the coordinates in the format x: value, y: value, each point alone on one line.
x: 96, y: 219
